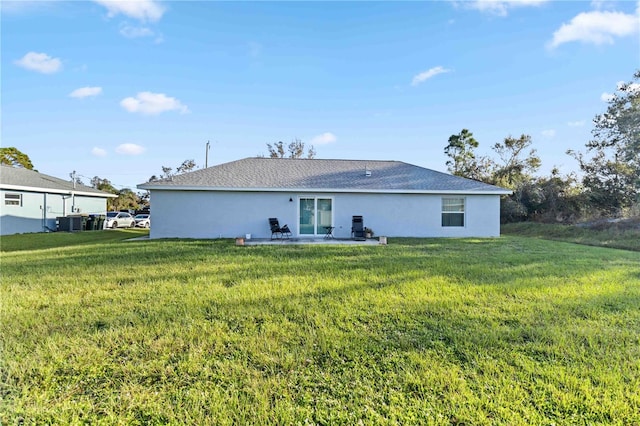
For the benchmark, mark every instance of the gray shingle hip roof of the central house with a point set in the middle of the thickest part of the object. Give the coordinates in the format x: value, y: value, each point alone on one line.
x: 316, y: 174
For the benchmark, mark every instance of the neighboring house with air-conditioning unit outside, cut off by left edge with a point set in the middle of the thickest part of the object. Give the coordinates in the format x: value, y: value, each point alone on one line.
x: 31, y: 201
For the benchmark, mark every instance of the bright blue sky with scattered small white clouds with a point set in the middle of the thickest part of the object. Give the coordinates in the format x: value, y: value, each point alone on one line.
x: 120, y: 89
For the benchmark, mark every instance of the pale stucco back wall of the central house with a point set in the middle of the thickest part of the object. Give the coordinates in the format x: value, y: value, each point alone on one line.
x: 208, y: 214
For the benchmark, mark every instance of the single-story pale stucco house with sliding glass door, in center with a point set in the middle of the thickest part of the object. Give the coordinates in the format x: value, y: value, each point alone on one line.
x: 395, y: 199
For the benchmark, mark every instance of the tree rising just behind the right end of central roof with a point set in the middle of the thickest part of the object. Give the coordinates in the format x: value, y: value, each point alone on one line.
x: 463, y: 161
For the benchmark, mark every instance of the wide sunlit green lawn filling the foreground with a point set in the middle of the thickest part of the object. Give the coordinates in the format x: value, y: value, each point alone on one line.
x: 471, y: 331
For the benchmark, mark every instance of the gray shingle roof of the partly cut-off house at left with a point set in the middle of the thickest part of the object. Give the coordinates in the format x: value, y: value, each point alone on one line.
x: 19, y: 178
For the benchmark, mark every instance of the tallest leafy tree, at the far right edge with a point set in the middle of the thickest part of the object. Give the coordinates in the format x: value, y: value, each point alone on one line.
x: 612, y: 173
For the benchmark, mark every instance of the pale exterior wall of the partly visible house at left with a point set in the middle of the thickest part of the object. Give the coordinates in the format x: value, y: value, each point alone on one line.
x: 38, y: 211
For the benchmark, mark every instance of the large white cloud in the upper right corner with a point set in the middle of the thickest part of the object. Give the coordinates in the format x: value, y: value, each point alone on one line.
x: 597, y: 27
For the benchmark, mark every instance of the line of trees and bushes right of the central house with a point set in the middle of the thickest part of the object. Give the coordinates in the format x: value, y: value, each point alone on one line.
x: 610, y: 165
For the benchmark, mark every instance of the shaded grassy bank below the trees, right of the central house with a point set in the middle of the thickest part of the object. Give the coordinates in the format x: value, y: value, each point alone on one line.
x: 612, y: 235
